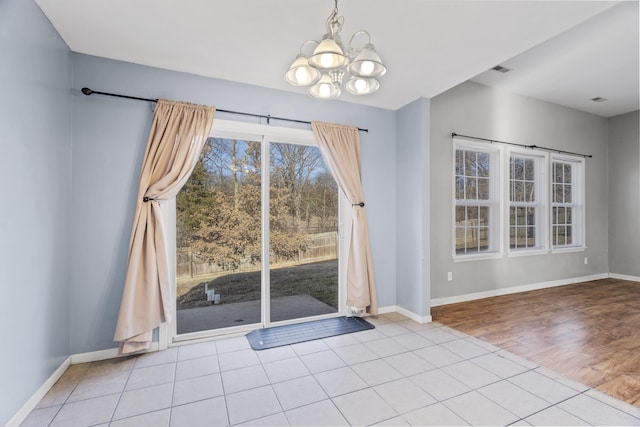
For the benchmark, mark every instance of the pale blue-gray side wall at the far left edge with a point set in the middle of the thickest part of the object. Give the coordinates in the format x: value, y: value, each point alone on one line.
x: 35, y: 169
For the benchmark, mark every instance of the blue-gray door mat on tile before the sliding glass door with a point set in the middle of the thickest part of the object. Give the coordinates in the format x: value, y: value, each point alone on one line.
x: 261, y: 339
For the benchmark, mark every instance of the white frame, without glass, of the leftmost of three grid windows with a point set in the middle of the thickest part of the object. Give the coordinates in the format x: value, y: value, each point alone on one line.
x: 496, y: 216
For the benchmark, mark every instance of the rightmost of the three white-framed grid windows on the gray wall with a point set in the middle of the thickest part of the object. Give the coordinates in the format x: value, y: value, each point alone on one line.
x: 567, y: 188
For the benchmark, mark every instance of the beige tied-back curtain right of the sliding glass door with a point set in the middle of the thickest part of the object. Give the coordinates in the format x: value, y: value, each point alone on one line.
x: 340, y: 148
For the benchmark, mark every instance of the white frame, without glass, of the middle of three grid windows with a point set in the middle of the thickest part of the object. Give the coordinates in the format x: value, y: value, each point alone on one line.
x: 541, y: 162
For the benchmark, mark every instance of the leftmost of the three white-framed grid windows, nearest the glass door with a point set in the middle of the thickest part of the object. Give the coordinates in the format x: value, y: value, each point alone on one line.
x: 476, y: 201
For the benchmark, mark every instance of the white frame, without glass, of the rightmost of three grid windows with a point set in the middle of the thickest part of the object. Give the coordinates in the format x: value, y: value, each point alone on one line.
x: 578, y: 205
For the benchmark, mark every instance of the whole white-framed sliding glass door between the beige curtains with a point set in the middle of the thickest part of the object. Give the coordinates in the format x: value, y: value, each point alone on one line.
x: 257, y: 237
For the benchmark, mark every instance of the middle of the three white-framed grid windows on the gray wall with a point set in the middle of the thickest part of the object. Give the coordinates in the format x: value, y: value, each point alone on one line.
x: 526, y: 202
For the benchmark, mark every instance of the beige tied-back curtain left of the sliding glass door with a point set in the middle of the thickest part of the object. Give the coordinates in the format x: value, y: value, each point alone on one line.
x: 177, y: 136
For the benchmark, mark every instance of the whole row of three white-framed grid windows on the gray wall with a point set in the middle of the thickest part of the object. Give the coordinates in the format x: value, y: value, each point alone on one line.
x: 527, y: 201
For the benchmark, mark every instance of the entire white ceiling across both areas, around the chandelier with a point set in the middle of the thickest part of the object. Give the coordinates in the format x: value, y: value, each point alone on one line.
x: 564, y: 52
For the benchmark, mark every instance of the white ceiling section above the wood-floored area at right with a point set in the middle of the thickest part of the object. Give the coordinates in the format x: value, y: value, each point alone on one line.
x: 598, y: 58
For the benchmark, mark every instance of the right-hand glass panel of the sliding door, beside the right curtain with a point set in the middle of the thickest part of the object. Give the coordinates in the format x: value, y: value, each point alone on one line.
x: 303, y: 233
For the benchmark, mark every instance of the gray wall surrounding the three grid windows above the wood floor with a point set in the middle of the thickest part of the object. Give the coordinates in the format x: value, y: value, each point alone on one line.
x: 477, y: 110
